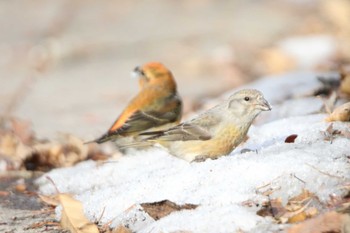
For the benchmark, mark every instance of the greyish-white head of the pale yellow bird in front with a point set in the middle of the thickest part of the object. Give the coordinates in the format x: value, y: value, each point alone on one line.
x: 248, y: 102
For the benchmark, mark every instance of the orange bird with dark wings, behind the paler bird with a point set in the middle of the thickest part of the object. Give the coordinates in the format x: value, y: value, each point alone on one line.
x: 156, y: 105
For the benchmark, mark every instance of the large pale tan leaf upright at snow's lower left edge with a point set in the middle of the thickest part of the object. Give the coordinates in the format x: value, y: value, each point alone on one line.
x: 73, y: 217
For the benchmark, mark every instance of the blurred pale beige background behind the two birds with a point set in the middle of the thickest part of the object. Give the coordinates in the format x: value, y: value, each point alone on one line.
x: 65, y: 64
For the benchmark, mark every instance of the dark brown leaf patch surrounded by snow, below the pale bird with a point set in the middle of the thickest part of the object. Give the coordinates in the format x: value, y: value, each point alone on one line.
x: 163, y: 208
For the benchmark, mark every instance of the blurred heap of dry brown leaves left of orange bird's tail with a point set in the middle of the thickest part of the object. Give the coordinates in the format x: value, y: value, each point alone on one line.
x: 19, y: 148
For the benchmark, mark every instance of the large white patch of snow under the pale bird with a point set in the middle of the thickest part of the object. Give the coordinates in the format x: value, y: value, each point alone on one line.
x: 220, y: 186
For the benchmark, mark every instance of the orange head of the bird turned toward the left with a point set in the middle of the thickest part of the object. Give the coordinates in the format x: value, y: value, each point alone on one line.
x: 154, y: 74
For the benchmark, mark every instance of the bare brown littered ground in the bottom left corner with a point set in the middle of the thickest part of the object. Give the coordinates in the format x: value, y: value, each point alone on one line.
x: 22, y: 210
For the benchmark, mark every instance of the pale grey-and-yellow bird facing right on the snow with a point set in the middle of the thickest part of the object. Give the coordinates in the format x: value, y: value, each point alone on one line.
x: 214, y: 133
